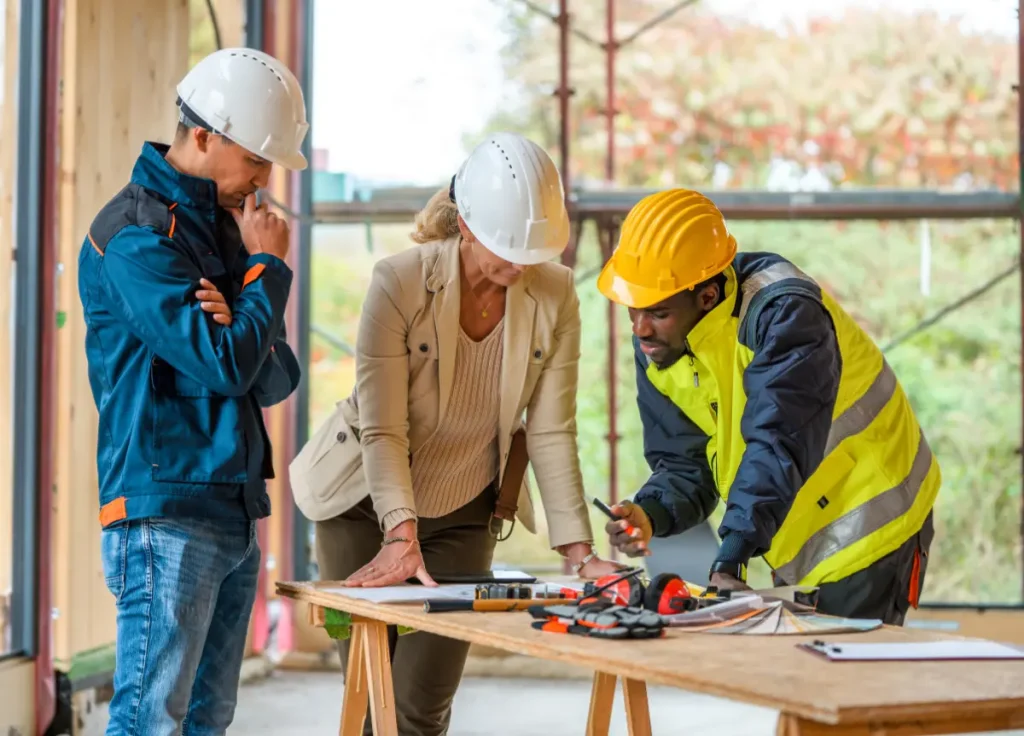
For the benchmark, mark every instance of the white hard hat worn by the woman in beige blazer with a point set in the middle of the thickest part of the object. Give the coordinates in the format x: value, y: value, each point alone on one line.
x: 510, y: 195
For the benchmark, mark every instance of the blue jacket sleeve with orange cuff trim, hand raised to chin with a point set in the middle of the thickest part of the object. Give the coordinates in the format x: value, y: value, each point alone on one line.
x: 152, y: 285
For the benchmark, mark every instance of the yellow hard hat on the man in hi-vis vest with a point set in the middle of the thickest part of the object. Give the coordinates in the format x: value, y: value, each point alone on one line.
x: 670, y: 242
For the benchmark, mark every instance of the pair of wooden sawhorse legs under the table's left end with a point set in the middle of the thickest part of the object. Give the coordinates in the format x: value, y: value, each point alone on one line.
x: 369, y: 679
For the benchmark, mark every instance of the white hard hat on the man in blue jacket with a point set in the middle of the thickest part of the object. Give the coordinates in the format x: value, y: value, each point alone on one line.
x: 251, y: 99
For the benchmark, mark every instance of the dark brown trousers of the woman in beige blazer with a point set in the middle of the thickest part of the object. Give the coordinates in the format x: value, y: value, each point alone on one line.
x: 428, y: 668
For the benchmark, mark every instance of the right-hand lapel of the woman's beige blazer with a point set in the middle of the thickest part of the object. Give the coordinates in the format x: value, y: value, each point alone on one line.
x: 521, y: 310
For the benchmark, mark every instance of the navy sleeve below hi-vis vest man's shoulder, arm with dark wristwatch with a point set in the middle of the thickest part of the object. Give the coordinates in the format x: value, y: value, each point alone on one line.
x: 791, y: 386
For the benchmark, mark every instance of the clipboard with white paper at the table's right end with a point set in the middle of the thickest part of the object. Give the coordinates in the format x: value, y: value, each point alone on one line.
x: 914, y: 652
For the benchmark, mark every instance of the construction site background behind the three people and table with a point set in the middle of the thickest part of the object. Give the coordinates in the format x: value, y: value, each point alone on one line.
x: 875, y: 145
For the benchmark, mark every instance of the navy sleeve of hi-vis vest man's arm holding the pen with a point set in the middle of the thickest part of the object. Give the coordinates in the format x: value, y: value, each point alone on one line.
x: 680, y: 493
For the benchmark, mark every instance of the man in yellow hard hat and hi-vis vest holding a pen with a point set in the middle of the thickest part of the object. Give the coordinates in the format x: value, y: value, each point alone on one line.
x: 755, y: 386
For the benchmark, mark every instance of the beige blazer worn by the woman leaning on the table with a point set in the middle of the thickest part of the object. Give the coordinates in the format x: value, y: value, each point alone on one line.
x: 406, y: 355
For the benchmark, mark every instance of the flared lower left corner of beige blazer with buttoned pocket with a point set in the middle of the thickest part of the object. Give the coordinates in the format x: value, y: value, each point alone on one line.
x: 327, y: 468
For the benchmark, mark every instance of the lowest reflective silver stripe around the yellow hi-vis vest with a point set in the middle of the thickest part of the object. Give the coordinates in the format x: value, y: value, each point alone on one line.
x: 861, y: 523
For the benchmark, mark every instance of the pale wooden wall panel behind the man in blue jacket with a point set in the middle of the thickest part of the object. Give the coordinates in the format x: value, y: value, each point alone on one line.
x: 121, y: 62
